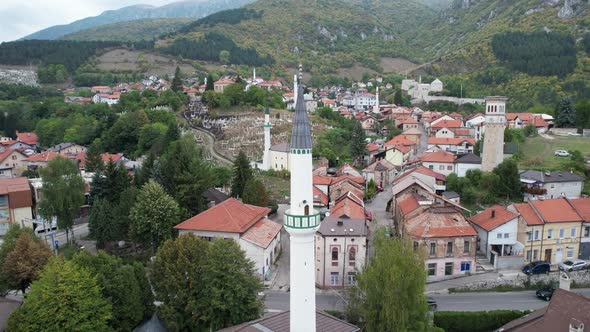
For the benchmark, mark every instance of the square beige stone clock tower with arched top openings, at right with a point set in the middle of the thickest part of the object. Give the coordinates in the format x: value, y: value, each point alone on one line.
x: 493, y: 143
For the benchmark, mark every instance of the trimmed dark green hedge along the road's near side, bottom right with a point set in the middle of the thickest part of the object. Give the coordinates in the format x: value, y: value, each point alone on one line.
x: 478, y: 321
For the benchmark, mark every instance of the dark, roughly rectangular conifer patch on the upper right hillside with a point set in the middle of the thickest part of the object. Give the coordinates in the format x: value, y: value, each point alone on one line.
x: 536, y: 53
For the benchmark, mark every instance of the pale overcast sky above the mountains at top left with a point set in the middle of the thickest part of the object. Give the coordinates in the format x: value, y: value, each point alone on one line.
x: 19, y: 18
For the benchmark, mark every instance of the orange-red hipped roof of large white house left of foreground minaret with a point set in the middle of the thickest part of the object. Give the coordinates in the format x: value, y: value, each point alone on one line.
x: 231, y: 216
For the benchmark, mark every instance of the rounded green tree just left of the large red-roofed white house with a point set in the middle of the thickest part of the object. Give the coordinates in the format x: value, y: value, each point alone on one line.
x: 153, y: 216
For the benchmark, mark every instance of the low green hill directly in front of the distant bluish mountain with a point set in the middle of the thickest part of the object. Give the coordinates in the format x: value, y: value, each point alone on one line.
x: 146, y: 29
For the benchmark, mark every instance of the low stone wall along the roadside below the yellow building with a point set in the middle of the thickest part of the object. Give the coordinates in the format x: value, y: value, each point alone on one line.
x: 579, y: 277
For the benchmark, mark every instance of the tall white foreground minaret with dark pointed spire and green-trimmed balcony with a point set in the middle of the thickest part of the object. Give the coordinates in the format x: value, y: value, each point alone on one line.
x: 302, y: 221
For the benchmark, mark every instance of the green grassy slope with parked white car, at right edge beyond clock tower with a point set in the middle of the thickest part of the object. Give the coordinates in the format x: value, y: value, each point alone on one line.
x: 539, y: 152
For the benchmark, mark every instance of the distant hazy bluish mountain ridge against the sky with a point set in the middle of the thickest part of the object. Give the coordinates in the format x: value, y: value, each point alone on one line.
x: 188, y: 8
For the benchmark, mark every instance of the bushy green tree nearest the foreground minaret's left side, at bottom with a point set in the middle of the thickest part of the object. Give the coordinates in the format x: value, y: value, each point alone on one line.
x: 232, y: 288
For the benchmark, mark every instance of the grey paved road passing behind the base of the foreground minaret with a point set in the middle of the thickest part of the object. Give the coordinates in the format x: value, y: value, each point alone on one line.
x: 446, y: 302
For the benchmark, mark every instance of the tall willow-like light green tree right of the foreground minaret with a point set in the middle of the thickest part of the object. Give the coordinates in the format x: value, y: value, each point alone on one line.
x: 399, y: 269
